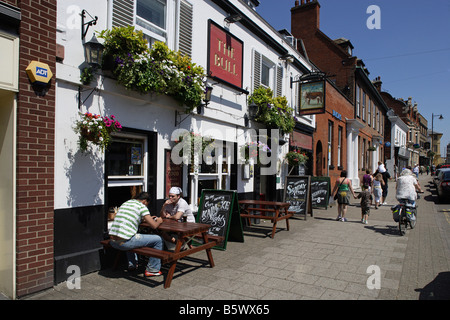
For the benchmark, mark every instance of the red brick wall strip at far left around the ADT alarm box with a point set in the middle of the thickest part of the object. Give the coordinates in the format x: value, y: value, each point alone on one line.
x: 35, y: 150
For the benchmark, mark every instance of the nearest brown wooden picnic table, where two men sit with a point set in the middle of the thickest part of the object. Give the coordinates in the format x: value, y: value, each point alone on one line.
x: 183, y: 230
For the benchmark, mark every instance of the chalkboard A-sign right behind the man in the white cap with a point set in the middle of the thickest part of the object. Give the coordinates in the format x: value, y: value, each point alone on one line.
x: 219, y: 208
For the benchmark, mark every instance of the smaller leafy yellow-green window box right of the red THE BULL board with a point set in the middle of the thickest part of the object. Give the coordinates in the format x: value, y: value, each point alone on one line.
x: 274, y: 112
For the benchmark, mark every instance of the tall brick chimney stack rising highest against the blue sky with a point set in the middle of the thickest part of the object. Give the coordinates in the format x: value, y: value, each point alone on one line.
x: 305, y: 18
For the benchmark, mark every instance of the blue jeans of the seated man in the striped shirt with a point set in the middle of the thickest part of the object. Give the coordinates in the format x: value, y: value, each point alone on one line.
x: 137, y: 241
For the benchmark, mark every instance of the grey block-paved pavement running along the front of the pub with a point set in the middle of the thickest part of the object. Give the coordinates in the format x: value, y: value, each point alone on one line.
x: 319, y: 258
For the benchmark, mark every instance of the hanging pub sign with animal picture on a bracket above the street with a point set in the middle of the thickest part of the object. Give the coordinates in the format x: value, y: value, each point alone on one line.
x: 312, y: 97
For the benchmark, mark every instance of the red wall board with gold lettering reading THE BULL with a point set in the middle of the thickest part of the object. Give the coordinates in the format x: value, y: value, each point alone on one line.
x: 225, y: 55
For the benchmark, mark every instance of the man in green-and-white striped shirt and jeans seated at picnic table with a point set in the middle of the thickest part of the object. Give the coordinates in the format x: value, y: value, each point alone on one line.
x: 124, y: 232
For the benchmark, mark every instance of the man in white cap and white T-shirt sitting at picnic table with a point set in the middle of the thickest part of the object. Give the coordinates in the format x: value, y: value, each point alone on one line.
x: 176, y: 207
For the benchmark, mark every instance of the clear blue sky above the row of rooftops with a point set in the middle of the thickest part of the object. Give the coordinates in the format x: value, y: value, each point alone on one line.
x: 410, y: 52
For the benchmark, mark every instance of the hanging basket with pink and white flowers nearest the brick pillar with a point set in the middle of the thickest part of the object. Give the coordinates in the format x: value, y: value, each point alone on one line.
x: 95, y: 129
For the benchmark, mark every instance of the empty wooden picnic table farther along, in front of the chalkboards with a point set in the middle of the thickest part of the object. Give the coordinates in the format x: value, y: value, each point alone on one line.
x: 269, y: 210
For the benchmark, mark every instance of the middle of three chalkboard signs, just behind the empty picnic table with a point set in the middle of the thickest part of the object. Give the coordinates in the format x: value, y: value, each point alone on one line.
x: 297, y: 192
